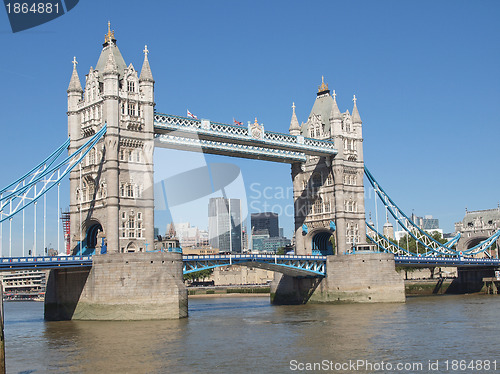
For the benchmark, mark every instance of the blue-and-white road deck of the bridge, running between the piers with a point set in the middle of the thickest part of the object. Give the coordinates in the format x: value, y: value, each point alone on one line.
x: 293, y: 265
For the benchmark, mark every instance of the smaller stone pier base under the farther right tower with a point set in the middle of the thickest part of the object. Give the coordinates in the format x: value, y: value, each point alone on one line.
x: 359, y: 278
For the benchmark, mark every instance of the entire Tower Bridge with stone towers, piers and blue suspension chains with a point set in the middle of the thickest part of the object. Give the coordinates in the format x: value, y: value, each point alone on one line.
x: 113, y: 130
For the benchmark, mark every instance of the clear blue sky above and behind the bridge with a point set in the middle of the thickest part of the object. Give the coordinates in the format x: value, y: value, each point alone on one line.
x: 426, y: 75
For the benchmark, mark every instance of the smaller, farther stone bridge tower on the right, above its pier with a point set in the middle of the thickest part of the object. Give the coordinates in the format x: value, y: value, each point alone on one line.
x: 329, y: 193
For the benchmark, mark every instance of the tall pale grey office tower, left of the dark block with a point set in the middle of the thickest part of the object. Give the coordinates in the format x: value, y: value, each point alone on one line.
x: 224, y: 224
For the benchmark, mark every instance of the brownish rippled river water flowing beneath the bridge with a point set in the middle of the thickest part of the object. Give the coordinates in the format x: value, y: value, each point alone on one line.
x: 455, y: 334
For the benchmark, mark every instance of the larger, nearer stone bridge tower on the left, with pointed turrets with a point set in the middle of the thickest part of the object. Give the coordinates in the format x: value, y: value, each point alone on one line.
x: 111, y: 203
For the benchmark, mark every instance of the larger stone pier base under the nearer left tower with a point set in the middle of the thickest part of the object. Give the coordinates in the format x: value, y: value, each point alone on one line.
x: 119, y: 286
